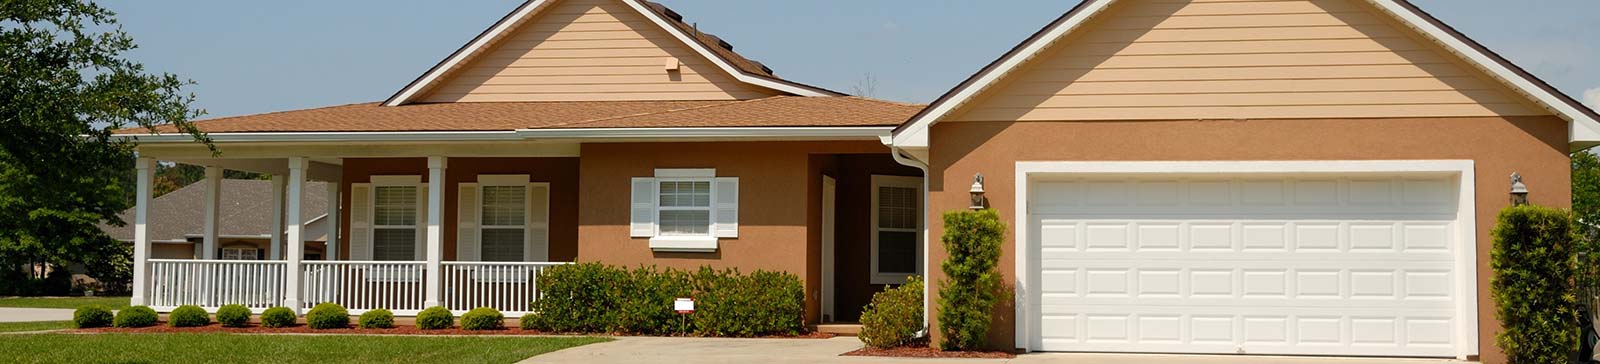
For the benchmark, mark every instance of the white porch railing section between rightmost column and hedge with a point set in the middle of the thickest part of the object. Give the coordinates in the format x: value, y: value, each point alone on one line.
x: 506, y: 287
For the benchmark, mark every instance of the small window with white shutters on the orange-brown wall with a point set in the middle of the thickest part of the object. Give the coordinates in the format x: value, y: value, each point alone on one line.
x: 686, y: 210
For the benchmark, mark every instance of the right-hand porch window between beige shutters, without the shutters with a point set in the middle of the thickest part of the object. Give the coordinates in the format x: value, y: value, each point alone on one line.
x: 505, y: 223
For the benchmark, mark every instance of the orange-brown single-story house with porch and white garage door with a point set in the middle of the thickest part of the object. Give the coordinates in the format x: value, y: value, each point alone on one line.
x: 1180, y: 176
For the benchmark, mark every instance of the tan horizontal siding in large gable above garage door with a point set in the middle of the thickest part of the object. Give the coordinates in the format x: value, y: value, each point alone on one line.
x: 1185, y: 60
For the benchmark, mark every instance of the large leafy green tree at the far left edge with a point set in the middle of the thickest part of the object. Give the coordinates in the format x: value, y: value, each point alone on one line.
x: 65, y: 87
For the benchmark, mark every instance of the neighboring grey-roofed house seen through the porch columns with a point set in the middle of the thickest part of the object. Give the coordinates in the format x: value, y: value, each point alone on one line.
x: 244, y: 226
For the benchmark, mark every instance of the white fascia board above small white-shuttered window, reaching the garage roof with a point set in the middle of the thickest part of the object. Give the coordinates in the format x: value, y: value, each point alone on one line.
x: 714, y: 133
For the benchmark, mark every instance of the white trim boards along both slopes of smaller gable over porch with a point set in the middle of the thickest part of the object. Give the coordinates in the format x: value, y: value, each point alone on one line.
x: 527, y: 10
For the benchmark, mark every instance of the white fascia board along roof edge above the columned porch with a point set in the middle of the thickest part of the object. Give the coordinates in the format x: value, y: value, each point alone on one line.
x: 367, y: 136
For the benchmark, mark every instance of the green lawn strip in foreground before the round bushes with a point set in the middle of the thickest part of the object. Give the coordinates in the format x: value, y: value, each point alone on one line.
x: 276, y: 349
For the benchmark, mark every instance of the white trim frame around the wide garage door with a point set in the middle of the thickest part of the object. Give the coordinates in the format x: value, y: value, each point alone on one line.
x: 1466, y: 256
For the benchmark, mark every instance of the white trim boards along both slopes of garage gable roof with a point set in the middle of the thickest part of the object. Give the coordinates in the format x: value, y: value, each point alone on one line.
x: 1585, y: 129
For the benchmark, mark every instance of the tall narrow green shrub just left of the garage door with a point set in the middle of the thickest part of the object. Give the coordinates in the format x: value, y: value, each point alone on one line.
x: 972, y: 285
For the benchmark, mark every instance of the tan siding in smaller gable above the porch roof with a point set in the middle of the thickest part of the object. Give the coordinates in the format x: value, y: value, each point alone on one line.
x: 590, y: 50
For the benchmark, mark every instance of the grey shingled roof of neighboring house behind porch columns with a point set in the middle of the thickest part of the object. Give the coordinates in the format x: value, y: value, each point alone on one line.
x: 246, y: 212
